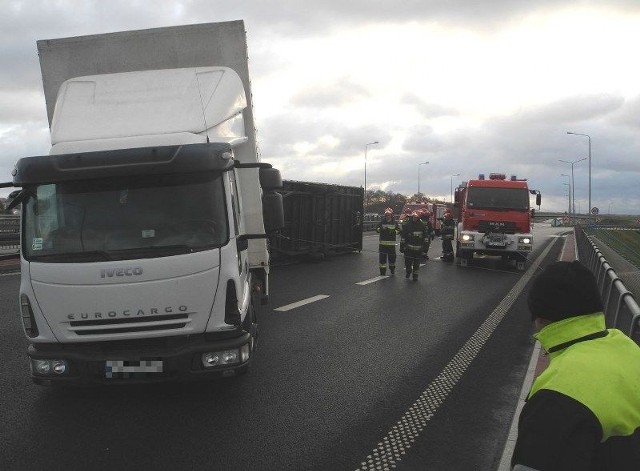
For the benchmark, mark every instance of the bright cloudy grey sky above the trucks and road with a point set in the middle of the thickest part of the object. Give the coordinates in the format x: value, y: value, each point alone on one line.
x: 469, y: 86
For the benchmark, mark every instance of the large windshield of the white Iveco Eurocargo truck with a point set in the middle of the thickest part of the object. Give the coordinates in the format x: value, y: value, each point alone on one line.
x: 127, y: 218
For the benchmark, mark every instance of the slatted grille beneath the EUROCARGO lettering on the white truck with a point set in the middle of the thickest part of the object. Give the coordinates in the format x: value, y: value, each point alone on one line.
x: 127, y: 325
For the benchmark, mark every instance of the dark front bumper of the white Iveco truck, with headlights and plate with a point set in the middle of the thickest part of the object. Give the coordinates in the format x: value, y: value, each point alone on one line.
x: 141, y: 361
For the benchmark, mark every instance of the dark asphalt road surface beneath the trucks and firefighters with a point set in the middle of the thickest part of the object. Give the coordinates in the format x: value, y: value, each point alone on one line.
x: 353, y: 372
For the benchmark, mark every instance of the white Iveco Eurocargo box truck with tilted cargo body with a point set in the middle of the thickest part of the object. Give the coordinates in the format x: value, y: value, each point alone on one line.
x: 143, y: 250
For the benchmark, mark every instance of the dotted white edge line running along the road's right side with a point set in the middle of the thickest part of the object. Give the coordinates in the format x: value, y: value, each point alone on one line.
x: 402, y: 436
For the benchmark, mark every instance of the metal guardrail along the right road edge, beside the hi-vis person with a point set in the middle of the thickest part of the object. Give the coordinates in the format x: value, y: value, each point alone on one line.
x: 621, y: 310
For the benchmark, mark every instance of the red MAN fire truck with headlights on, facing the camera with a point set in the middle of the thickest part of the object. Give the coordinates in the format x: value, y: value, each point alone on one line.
x: 495, y: 218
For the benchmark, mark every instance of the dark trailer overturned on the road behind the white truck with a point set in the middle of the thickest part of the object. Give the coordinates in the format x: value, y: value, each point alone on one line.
x: 320, y: 219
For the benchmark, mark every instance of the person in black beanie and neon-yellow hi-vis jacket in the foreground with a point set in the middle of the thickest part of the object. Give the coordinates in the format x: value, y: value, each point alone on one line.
x: 583, y: 411
